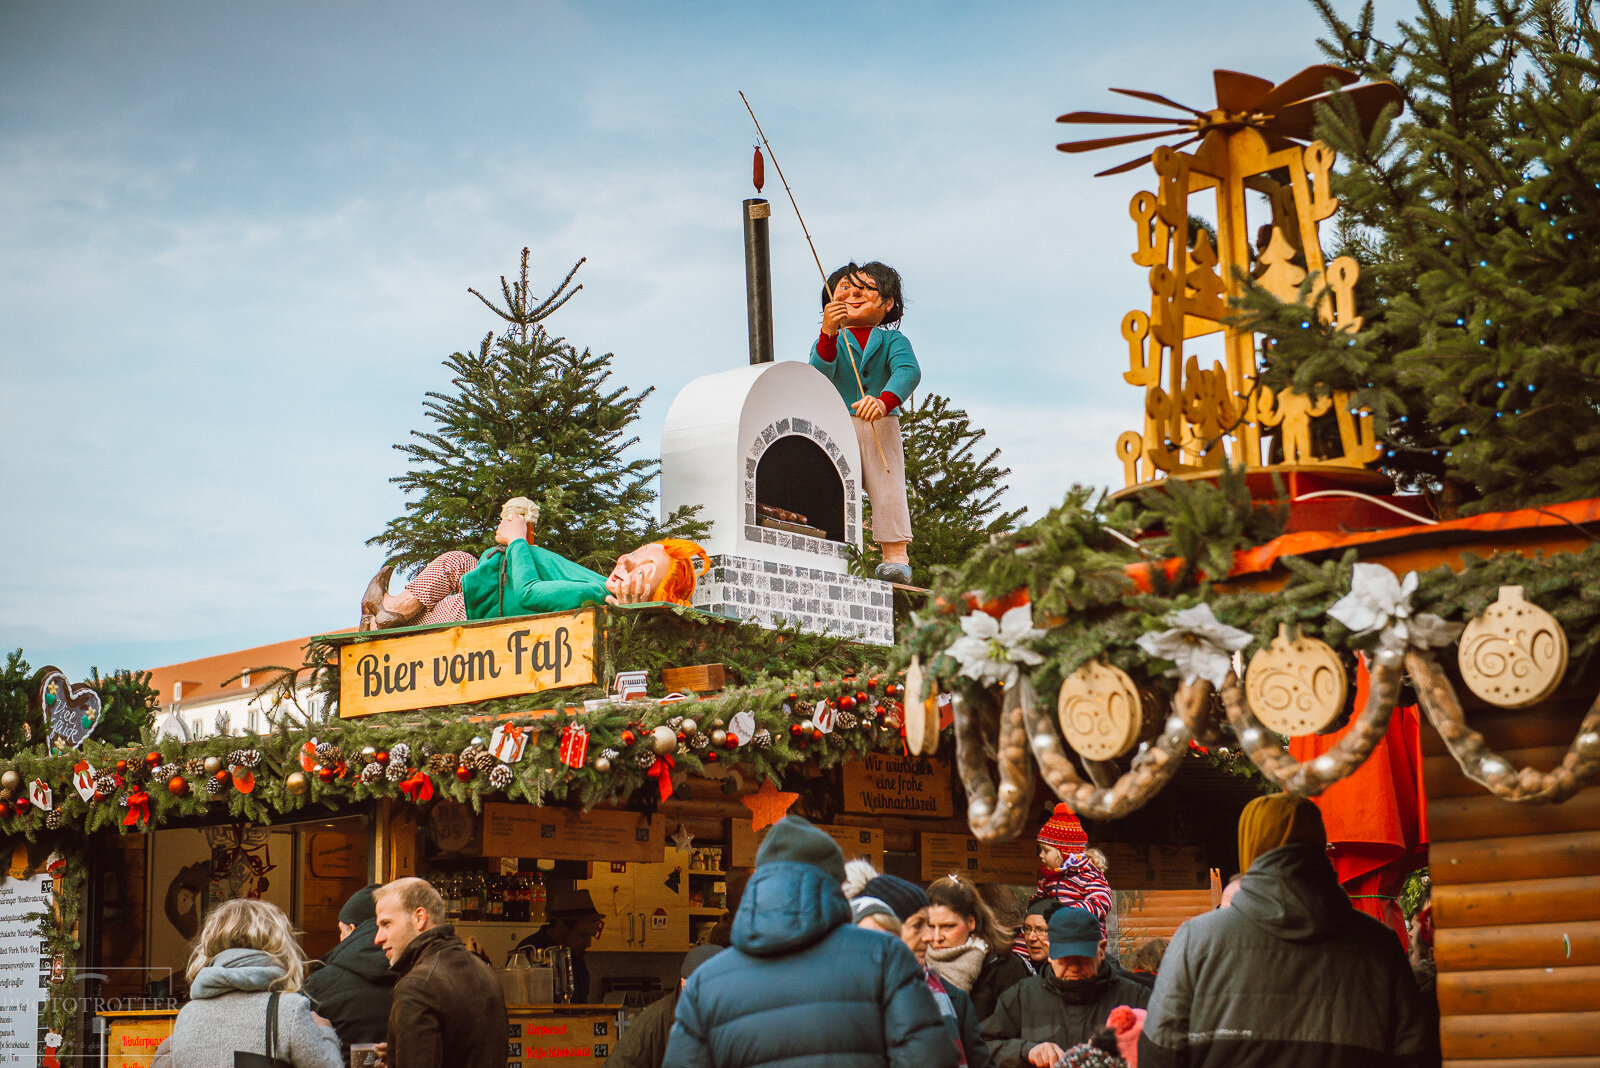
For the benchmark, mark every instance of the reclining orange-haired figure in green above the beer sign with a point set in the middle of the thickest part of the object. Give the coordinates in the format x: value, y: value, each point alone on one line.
x: 518, y: 578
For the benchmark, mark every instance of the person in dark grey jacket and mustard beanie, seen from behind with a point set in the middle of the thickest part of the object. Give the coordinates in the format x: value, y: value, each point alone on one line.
x: 1290, y: 973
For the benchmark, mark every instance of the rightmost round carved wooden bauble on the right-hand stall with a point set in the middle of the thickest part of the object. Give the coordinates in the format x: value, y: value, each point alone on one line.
x: 1514, y: 655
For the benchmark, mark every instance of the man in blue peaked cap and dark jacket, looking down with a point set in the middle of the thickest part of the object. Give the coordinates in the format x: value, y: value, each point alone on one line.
x: 1039, y: 1019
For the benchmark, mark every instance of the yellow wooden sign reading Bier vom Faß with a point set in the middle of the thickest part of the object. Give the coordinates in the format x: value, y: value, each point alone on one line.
x: 466, y: 664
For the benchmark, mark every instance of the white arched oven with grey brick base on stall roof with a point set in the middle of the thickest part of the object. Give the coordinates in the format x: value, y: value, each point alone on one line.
x: 770, y: 455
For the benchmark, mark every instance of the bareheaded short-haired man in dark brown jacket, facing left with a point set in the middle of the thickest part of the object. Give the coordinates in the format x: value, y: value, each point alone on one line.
x: 447, y: 1002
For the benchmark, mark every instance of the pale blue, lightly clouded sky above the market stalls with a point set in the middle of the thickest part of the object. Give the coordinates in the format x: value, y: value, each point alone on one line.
x: 236, y: 244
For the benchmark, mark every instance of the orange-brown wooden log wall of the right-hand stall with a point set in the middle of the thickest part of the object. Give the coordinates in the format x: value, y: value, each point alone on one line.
x: 1516, y: 903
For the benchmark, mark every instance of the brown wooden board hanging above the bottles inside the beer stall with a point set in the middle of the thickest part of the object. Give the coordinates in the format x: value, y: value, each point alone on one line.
x: 524, y: 831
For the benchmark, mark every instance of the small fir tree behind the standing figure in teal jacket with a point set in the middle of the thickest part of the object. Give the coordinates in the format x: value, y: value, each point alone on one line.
x: 954, y: 496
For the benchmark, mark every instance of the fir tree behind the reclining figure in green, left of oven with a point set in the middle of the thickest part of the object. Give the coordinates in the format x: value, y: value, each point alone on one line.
x: 530, y: 415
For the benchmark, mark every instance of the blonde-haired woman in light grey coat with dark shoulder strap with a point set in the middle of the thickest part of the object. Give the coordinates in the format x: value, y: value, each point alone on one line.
x: 244, y: 981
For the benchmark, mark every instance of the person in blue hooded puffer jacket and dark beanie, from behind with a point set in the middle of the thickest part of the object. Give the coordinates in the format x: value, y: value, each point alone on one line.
x: 801, y: 984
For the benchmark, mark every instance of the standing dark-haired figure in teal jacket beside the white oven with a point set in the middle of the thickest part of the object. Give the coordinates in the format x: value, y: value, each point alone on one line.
x: 865, y: 301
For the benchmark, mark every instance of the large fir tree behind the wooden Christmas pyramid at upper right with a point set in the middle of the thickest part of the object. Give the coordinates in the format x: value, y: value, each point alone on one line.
x: 1474, y: 217
